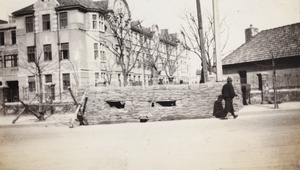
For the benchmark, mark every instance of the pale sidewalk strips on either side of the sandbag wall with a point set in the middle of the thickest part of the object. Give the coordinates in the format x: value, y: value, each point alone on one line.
x: 64, y: 119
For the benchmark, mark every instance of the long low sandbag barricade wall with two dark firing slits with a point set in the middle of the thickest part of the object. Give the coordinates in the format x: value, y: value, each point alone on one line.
x: 192, y: 102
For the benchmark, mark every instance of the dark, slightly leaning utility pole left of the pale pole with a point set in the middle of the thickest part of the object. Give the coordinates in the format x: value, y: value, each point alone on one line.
x: 201, y: 38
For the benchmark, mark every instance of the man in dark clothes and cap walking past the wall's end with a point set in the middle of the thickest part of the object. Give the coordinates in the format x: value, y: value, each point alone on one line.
x: 228, y: 95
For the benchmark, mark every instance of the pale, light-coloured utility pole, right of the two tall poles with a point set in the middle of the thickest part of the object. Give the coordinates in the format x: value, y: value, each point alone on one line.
x: 217, y: 41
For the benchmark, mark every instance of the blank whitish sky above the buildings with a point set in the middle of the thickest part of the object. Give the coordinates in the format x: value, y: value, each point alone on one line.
x: 262, y: 14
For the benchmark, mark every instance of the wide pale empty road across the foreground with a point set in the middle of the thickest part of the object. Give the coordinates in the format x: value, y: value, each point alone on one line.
x: 269, y: 140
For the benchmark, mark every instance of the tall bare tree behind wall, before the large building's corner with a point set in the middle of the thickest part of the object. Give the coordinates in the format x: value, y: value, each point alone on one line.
x: 120, y: 41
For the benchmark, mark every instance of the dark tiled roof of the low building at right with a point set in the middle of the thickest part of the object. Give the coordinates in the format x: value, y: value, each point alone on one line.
x: 282, y: 42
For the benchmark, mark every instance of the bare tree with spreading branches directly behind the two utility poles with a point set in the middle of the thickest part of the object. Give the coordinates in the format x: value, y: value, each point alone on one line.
x: 190, y: 32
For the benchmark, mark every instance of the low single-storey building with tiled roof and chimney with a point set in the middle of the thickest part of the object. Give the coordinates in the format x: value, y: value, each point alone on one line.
x: 252, y: 63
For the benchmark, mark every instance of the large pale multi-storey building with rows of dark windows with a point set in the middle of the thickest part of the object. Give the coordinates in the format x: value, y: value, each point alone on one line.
x: 62, y: 42
